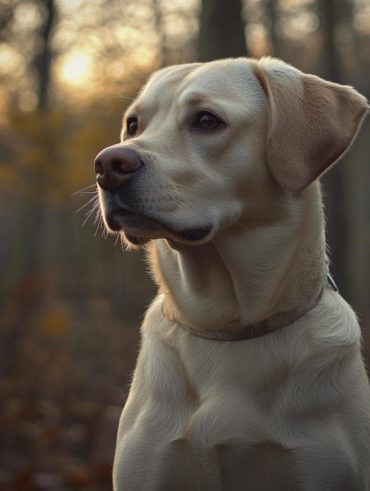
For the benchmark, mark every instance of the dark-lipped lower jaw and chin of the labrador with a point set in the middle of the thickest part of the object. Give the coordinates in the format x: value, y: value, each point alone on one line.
x: 138, y: 229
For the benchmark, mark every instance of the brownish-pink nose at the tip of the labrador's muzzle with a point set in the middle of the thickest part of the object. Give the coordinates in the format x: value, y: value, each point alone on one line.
x: 115, y: 166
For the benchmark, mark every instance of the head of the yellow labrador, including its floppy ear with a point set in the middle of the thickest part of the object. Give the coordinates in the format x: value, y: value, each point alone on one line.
x: 203, y: 144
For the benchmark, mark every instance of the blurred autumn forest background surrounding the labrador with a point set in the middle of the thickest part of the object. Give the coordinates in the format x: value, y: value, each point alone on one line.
x: 70, y: 299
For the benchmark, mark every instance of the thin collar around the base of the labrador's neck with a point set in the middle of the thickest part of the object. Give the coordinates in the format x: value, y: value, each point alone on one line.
x: 258, y: 329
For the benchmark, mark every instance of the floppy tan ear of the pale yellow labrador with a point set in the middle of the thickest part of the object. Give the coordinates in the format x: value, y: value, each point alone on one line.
x: 311, y: 122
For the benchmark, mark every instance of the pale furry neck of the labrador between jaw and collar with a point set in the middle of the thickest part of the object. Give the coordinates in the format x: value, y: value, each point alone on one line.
x: 247, y: 273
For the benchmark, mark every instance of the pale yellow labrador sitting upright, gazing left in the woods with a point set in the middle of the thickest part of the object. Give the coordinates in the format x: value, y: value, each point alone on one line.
x: 250, y: 374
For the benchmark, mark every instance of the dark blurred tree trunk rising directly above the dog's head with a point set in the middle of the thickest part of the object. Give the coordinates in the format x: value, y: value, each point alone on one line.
x: 221, y: 30
